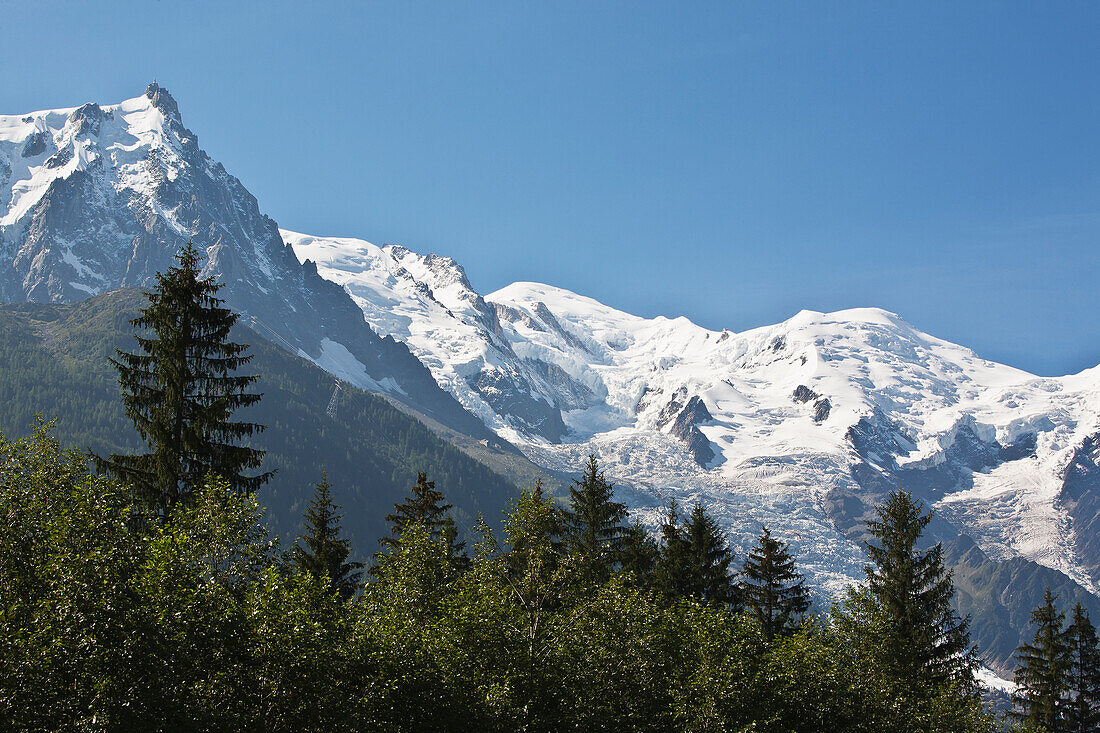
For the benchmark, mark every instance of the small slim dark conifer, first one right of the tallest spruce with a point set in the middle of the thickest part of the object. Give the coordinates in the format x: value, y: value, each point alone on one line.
x: 323, y: 551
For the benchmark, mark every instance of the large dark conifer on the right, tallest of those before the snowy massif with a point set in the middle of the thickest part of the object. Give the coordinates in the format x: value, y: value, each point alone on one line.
x: 926, y: 640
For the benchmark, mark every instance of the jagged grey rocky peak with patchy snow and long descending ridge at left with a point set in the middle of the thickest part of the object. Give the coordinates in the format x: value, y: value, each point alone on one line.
x: 94, y: 199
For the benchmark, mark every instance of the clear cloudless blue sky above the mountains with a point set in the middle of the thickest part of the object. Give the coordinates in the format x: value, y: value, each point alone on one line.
x: 733, y: 162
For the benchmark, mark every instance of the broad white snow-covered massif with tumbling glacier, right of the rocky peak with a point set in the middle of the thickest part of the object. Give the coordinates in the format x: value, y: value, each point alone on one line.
x: 802, y: 425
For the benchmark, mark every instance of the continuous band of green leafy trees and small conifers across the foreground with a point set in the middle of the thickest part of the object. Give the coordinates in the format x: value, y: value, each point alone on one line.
x: 112, y: 622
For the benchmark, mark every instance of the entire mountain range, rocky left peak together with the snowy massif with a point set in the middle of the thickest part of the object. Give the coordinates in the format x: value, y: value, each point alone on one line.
x: 802, y: 426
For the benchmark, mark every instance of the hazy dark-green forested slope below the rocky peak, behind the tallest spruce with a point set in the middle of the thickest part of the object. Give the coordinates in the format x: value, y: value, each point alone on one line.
x: 53, y: 362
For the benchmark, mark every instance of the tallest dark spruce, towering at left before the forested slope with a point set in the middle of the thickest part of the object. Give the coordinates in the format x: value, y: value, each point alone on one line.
x: 181, y: 390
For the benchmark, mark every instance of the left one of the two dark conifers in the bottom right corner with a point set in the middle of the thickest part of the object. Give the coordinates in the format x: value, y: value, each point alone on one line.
x: 1043, y: 670
